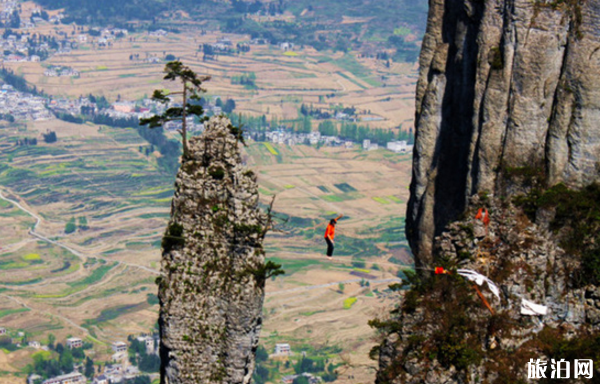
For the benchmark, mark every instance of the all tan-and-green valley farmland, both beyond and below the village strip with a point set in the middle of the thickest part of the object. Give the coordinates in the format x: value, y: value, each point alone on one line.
x: 96, y: 282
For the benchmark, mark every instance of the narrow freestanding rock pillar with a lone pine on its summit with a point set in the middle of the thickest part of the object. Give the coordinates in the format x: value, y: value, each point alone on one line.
x: 211, y: 291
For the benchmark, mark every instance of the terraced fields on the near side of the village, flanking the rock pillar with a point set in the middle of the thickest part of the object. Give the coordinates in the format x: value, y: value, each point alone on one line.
x: 98, y: 282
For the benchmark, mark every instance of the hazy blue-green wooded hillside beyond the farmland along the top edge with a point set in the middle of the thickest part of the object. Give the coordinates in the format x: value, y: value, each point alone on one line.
x: 368, y: 26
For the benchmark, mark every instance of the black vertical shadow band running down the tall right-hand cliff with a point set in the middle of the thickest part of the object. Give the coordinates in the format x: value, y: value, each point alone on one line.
x: 453, y: 144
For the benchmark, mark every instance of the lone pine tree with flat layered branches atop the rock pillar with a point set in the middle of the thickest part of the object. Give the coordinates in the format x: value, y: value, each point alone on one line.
x: 191, y: 86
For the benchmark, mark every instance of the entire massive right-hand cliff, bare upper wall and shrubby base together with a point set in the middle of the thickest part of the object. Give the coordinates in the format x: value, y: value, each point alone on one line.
x: 507, y: 119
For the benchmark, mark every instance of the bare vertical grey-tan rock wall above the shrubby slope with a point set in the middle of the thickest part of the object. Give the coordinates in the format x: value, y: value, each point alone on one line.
x: 504, y: 84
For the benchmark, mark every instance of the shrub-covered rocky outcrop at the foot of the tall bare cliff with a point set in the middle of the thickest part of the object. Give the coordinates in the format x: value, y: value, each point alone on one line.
x: 444, y: 334
